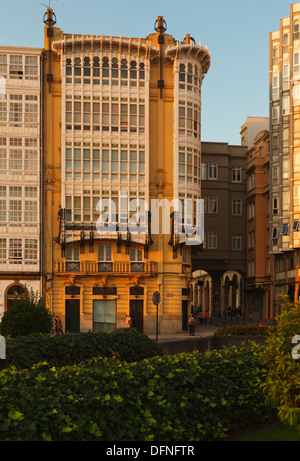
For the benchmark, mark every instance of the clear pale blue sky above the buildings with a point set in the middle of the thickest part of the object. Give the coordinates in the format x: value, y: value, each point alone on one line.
x: 236, y: 33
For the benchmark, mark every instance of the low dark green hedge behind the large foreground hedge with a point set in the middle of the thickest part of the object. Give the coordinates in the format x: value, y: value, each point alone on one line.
x: 71, y: 348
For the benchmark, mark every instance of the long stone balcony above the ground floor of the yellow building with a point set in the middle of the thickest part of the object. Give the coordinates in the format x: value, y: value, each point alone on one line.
x: 119, y: 268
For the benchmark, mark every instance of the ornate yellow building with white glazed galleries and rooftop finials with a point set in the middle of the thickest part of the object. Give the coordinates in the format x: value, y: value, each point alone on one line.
x: 121, y: 125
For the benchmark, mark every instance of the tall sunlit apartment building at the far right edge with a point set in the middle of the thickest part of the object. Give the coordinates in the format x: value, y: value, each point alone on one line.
x: 285, y: 155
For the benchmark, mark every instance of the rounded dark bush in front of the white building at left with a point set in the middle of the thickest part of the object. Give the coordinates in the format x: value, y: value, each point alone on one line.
x: 25, y: 316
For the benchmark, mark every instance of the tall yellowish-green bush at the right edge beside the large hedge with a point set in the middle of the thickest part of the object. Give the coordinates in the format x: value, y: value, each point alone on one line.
x: 282, y: 380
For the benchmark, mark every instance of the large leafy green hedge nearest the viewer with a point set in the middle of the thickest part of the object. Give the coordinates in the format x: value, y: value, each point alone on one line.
x: 185, y: 397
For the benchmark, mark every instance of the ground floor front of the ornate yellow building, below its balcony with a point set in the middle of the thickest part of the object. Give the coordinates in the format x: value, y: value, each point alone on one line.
x: 89, y: 304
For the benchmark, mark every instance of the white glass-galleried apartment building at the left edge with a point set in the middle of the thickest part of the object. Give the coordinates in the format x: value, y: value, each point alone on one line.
x: 20, y: 172
